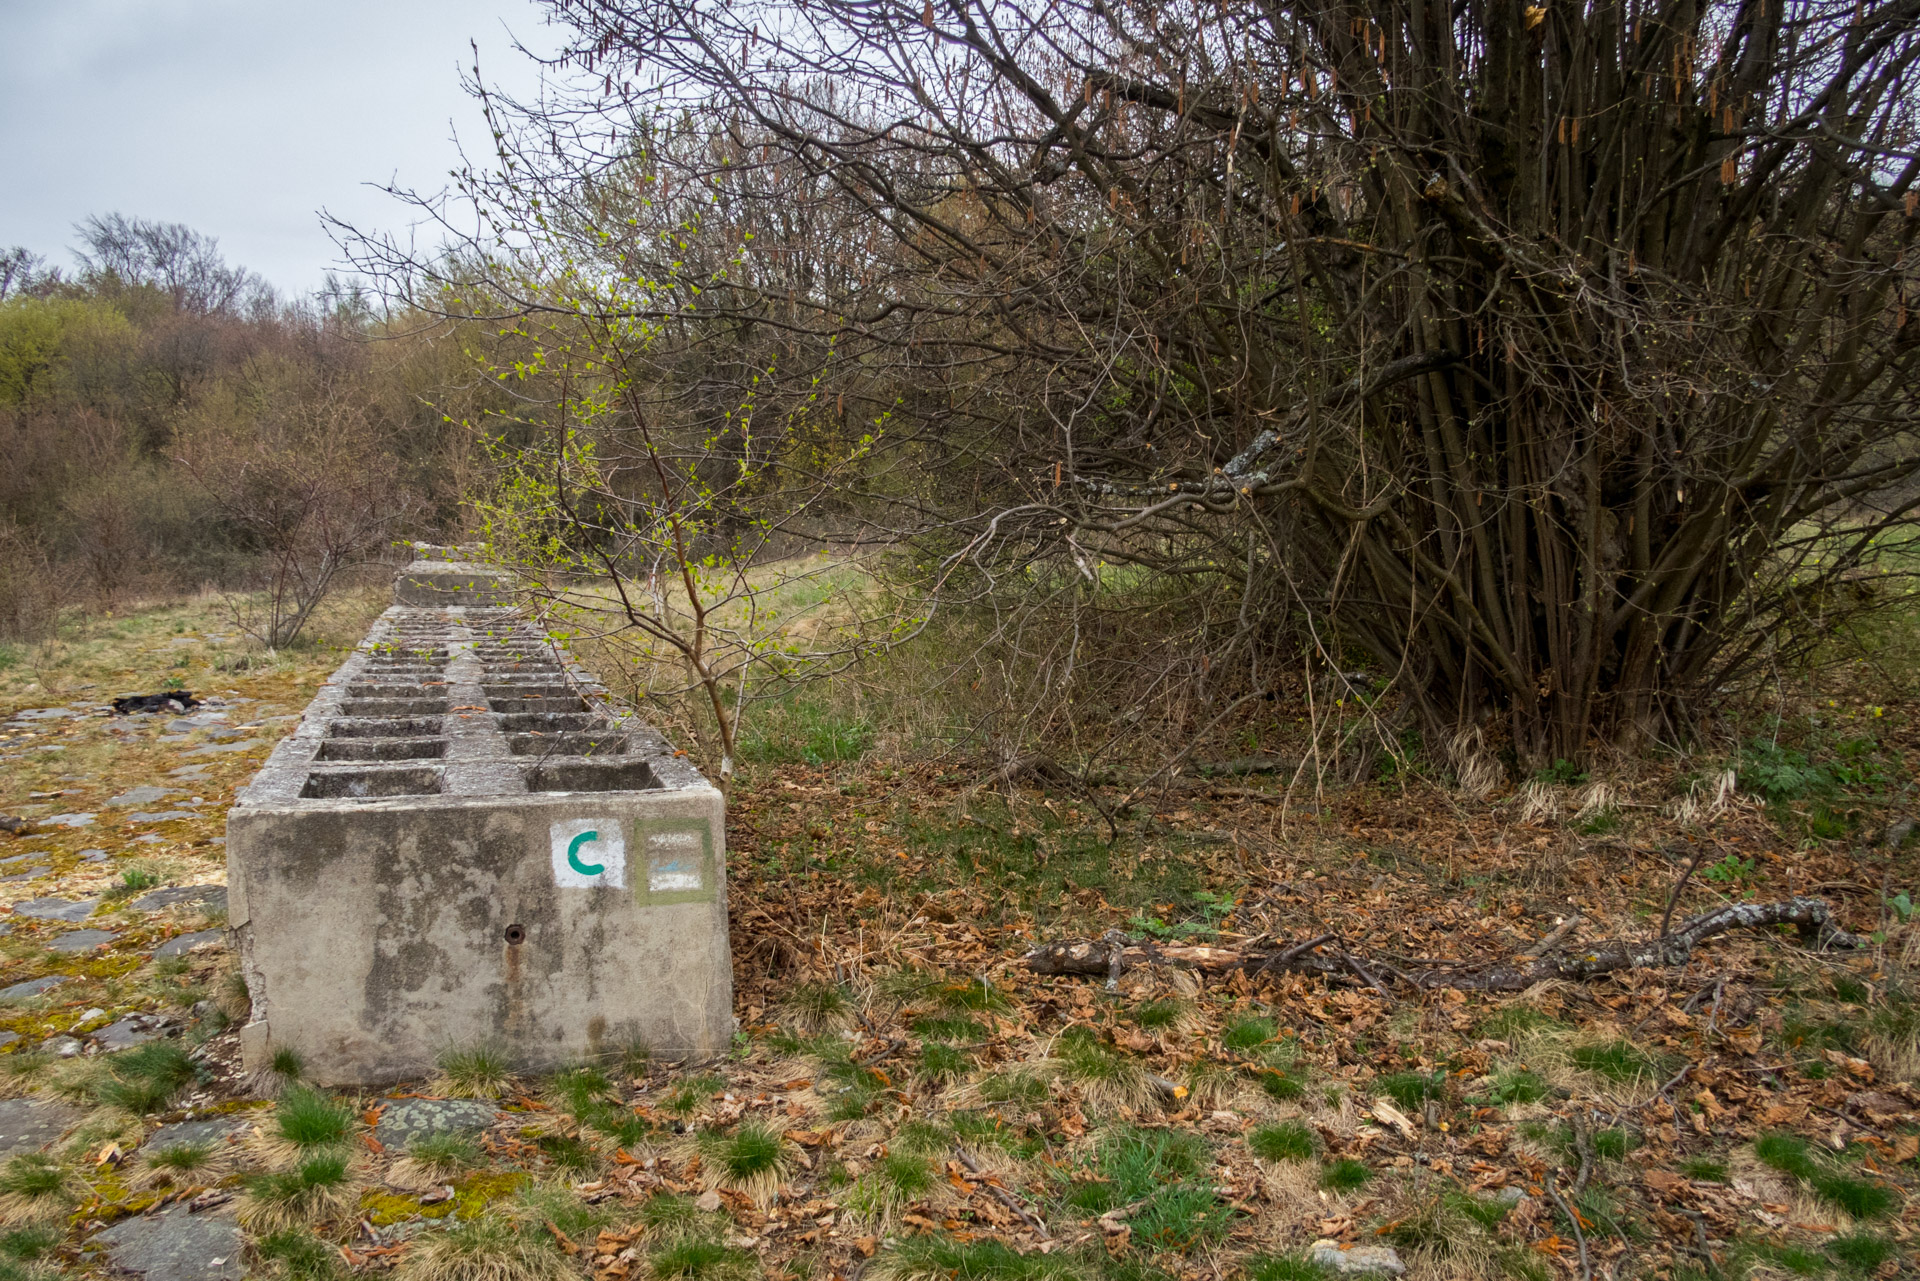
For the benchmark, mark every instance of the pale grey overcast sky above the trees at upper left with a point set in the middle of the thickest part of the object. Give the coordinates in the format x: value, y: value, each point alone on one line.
x: 239, y: 118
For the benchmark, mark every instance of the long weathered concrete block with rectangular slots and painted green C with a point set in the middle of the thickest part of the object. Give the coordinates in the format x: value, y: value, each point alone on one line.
x: 462, y: 844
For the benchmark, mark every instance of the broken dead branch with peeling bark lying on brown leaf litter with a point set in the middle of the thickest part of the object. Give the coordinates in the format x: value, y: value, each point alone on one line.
x: 1115, y: 954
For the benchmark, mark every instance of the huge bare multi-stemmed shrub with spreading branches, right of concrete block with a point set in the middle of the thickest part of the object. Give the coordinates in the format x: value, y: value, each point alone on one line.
x: 1554, y: 356
